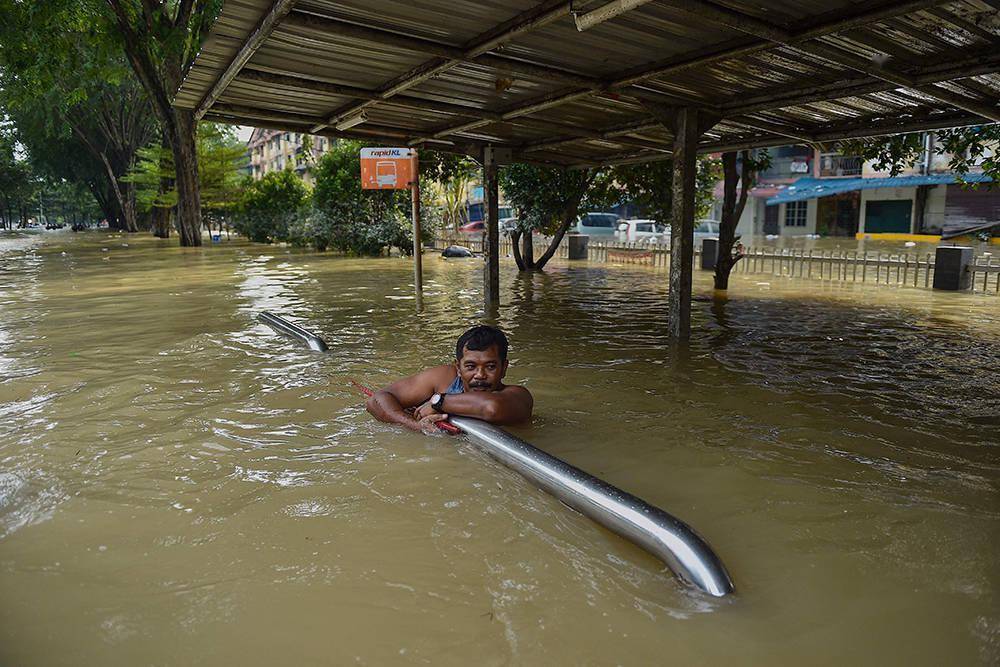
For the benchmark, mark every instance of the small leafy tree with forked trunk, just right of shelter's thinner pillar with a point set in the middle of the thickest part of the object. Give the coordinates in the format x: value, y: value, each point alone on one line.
x: 548, y: 200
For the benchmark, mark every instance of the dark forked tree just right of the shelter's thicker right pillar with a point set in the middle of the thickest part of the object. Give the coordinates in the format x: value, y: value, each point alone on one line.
x: 745, y: 175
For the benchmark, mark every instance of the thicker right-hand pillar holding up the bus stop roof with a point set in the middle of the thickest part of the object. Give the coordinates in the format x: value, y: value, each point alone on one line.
x: 686, y: 134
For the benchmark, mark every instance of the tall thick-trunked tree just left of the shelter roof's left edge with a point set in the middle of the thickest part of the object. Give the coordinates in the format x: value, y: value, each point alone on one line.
x: 160, y: 40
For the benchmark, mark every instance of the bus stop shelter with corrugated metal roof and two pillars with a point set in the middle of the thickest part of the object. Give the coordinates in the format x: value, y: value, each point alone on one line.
x: 582, y: 84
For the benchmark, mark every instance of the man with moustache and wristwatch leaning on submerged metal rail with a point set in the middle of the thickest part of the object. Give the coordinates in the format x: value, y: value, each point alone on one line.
x: 471, y: 387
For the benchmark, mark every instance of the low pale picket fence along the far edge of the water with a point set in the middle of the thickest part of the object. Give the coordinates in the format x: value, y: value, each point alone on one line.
x: 902, y: 269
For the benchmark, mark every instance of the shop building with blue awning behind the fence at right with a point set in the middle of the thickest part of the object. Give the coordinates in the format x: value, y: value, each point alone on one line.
x: 809, y: 192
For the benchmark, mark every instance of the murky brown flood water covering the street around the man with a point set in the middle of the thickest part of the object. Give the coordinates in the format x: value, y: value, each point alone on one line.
x: 179, y: 485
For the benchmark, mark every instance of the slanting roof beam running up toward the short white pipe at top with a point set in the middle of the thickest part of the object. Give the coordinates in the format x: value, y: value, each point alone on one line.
x: 538, y: 16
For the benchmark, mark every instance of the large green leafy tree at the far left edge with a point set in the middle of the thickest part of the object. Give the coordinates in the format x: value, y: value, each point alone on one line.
x: 76, y: 89
